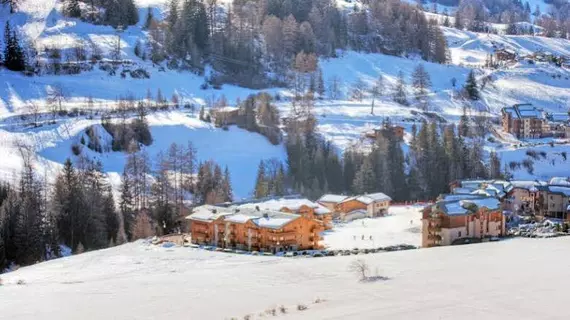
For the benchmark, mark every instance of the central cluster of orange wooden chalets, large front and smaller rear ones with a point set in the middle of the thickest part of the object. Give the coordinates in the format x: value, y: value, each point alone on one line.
x: 277, y: 225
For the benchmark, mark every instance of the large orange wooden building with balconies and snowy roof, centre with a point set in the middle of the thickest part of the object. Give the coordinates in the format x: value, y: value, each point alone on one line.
x: 254, y: 229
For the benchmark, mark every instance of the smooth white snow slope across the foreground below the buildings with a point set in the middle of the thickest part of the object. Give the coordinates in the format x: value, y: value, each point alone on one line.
x: 513, y: 279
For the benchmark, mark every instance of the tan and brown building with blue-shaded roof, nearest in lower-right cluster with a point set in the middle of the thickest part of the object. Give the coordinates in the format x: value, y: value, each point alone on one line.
x: 461, y: 218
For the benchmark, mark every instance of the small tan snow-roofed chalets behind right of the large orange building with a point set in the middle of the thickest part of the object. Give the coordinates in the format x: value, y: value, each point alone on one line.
x: 357, y: 207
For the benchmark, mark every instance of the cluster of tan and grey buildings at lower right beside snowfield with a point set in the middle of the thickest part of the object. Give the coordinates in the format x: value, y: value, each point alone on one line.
x: 478, y: 209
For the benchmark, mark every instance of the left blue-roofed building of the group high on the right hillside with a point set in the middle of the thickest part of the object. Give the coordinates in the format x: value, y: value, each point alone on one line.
x: 523, y: 121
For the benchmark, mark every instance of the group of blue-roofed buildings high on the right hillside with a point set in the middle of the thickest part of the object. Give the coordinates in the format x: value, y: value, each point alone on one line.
x: 525, y: 121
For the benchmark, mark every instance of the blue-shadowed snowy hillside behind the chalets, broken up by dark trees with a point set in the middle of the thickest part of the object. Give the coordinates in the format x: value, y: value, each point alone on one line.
x: 341, y: 121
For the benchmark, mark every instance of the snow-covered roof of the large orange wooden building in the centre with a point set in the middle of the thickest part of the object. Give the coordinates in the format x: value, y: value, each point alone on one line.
x: 262, y: 218
